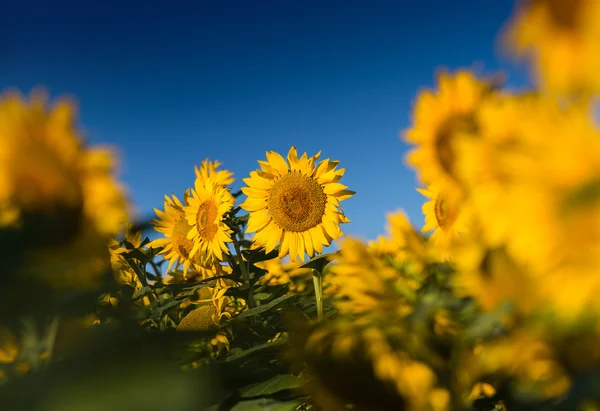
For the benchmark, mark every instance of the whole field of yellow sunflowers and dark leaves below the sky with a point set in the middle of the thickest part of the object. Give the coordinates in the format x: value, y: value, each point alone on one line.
x: 492, y: 304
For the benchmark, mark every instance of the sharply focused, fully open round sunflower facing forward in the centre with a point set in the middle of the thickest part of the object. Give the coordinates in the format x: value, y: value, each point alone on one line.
x: 295, y: 204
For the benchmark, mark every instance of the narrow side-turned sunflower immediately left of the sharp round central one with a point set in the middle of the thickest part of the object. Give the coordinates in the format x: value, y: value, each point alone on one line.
x: 205, y: 214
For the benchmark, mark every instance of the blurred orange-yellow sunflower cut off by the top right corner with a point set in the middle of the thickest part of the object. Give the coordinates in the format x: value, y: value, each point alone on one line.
x: 562, y: 37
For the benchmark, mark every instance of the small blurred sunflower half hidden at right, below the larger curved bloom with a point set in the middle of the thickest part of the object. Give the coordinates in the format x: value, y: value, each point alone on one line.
x: 445, y: 215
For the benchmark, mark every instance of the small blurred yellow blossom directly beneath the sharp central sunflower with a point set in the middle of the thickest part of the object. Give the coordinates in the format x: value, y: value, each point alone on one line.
x: 298, y: 279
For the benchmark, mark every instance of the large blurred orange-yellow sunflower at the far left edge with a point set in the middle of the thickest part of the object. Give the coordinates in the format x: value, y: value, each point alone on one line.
x: 45, y: 170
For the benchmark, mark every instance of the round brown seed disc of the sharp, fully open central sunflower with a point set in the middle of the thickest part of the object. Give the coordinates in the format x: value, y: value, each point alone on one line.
x: 297, y: 202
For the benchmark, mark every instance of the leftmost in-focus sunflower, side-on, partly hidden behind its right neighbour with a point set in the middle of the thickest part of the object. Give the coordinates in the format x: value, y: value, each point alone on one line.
x: 172, y: 223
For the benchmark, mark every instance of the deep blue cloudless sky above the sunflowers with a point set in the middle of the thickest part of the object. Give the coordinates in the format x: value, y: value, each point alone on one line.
x: 172, y: 83
